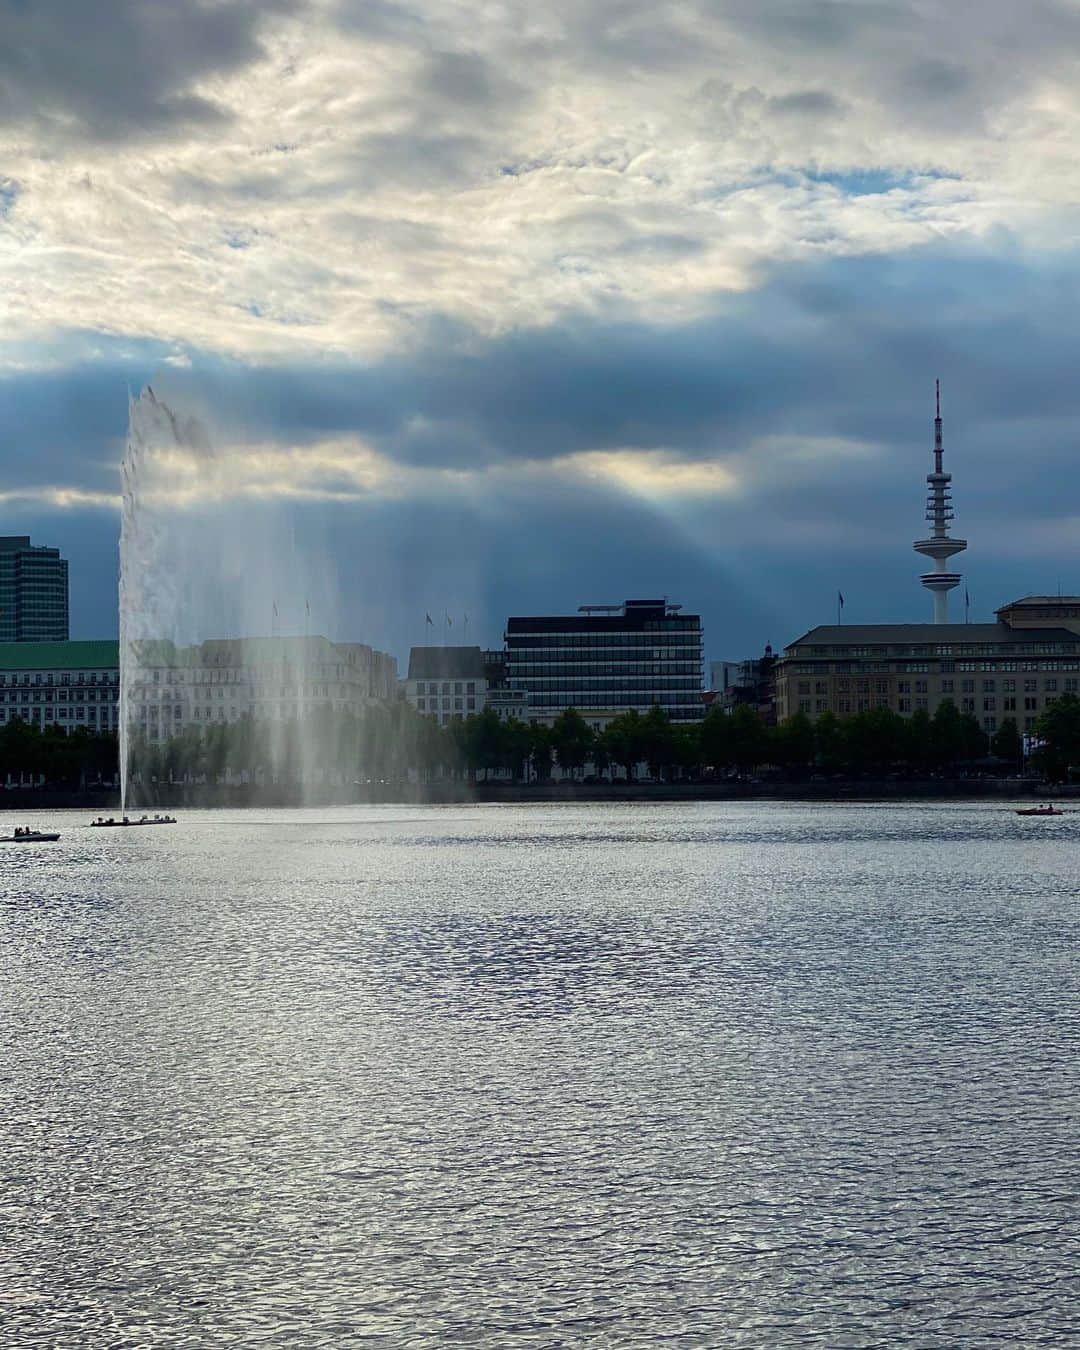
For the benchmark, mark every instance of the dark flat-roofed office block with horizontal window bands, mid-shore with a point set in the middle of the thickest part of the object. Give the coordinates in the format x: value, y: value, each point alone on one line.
x: 607, y: 659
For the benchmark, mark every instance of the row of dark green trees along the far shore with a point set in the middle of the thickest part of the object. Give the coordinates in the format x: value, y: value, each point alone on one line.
x: 394, y: 743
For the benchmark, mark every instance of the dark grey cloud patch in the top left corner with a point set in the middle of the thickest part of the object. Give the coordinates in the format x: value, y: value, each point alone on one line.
x: 118, y: 70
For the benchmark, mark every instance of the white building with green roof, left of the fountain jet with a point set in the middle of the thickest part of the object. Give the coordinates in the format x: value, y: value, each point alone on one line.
x: 68, y: 685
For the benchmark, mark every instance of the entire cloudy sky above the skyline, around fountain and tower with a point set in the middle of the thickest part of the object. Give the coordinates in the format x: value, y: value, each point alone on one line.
x: 512, y: 308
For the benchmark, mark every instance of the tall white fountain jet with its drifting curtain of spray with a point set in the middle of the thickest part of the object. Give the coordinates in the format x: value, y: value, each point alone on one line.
x: 222, y: 615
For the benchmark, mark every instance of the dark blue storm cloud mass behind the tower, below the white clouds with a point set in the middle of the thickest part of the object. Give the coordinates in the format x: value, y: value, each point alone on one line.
x: 843, y: 353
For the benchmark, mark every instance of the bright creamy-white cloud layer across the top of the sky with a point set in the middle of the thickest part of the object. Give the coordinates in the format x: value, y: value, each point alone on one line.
x: 345, y: 172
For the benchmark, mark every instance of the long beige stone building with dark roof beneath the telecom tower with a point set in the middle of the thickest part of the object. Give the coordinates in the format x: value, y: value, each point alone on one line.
x: 1013, y: 669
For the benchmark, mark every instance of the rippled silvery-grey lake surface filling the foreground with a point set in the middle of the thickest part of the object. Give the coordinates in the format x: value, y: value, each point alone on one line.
x: 682, y: 1075
